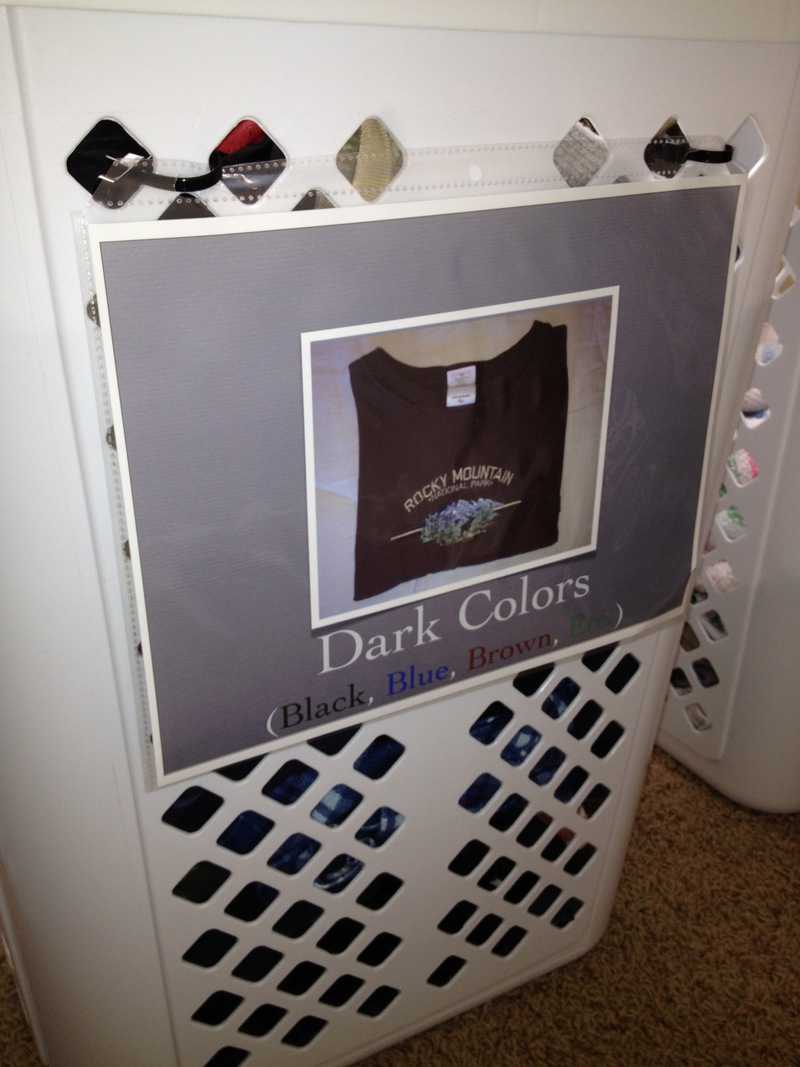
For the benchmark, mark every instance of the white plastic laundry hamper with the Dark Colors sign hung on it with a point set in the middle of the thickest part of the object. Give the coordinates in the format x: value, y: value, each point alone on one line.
x: 484, y: 833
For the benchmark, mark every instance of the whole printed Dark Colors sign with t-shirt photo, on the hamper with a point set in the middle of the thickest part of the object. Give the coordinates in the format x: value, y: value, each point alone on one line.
x: 372, y: 454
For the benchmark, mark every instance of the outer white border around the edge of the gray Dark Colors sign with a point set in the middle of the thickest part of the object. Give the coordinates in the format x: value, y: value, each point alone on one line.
x: 101, y: 234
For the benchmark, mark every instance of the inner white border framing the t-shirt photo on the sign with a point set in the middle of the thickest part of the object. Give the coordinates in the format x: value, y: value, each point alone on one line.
x: 308, y: 339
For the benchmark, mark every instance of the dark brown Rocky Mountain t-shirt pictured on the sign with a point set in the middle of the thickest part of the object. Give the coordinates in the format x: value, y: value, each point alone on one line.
x: 443, y: 487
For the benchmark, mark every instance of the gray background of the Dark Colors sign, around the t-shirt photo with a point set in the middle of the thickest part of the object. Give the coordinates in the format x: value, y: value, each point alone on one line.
x: 206, y: 335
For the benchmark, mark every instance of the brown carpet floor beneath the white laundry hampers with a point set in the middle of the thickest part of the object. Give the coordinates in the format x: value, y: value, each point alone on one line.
x: 700, y: 966
